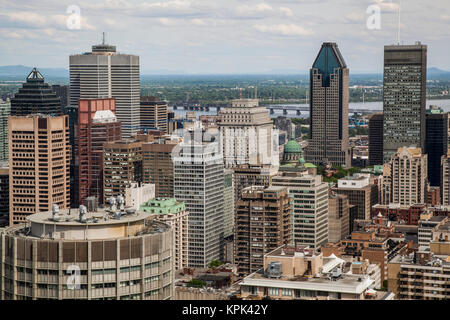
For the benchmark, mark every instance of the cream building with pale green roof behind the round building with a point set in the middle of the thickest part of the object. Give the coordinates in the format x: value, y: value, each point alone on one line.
x: 173, y: 213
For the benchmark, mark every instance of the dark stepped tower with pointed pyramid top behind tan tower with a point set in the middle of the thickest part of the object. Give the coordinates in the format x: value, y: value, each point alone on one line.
x: 35, y: 96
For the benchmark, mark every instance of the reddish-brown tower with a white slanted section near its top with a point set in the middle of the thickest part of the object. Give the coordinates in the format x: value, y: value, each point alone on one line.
x: 97, y: 125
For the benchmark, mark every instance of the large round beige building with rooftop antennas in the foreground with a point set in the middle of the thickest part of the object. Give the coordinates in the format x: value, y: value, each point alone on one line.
x: 107, y: 254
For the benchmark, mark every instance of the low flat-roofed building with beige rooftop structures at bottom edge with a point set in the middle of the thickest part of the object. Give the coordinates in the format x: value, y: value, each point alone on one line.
x: 300, y: 274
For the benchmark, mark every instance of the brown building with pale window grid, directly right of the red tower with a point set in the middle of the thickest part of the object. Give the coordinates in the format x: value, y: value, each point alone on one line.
x: 122, y: 165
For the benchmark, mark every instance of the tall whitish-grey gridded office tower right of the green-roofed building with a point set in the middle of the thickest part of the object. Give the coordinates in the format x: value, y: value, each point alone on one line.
x: 199, y: 182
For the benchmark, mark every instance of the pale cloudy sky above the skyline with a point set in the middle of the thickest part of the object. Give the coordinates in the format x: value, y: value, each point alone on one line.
x: 221, y: 36
